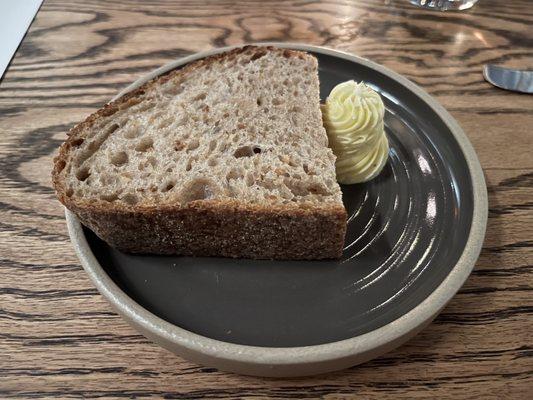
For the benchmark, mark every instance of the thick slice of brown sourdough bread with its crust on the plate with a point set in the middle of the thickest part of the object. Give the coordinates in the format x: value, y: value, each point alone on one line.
x: 224, y: 157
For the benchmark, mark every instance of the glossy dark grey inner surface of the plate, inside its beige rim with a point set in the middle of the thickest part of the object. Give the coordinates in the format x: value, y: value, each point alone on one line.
x: 406, y: 230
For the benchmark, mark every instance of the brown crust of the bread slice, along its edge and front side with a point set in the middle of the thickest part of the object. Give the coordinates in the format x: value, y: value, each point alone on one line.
x: 226, y: 228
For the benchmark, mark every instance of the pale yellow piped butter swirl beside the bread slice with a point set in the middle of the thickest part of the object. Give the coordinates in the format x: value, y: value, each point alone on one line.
x: 353, y: 118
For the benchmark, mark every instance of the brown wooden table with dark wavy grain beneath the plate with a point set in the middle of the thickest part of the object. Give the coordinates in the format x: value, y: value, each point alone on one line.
x: 59, y: 337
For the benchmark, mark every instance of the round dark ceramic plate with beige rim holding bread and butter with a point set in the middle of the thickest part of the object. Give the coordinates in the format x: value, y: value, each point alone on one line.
x: 414, y: 234
